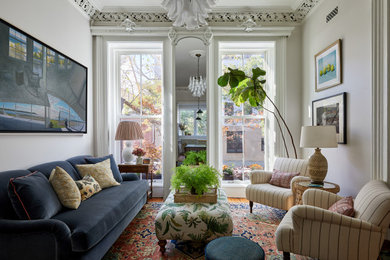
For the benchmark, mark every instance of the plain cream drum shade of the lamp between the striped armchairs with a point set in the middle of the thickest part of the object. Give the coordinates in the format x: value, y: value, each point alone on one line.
x: 318, y: 137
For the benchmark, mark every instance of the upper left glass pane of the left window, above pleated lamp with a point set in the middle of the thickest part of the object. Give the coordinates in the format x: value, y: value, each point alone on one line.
x: 130, y: 84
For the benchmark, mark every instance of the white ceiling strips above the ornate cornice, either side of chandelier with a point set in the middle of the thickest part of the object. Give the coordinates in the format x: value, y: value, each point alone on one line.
x: 222, y: 5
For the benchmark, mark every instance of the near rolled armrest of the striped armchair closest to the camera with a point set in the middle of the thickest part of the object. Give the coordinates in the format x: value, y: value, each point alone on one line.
x: 302, y: 213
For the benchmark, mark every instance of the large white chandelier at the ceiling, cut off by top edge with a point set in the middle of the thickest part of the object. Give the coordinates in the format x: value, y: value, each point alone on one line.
x: 191, y: 13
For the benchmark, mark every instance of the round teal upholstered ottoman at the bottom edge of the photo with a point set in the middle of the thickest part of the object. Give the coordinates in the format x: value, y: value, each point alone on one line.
x: 231, y: 248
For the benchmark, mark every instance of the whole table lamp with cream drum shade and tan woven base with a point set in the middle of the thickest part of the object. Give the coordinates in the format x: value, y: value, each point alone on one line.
x: 318, y: 137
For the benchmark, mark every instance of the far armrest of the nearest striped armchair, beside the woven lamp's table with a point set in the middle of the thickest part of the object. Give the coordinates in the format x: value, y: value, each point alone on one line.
x: 319, y: 198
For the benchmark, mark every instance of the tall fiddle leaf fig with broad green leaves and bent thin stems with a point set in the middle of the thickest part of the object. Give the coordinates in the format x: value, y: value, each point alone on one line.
x: 250, y: 88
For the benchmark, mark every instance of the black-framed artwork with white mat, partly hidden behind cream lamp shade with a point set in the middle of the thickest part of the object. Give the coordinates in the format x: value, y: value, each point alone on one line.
x: 331, y: 111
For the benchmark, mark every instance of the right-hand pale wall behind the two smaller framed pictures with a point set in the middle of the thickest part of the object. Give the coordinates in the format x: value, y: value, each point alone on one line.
x: 349, y: 164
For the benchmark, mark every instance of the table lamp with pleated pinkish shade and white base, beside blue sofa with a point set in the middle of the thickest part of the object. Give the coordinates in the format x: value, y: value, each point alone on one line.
x: 128, y: 130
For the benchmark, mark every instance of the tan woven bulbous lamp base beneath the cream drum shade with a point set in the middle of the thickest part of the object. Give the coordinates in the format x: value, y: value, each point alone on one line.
x: 318, y: 167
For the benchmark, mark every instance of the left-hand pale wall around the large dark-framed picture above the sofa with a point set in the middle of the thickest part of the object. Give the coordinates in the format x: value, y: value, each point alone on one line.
x: 60, y: 25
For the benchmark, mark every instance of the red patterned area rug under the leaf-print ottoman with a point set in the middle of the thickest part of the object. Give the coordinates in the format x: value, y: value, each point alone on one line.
x: 139, y: 241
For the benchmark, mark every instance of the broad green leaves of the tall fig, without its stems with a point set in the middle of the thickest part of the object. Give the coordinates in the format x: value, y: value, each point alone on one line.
x: 243, y: 87
